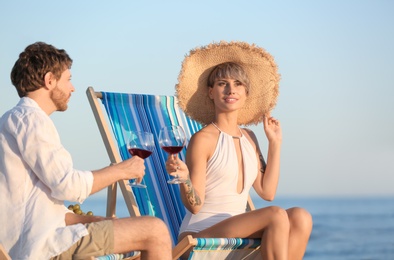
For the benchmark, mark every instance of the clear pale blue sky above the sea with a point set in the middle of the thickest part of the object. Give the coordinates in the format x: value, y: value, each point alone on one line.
x: 336, y: 60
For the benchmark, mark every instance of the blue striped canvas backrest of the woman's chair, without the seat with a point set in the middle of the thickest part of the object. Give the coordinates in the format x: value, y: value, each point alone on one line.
x: 140, y: 112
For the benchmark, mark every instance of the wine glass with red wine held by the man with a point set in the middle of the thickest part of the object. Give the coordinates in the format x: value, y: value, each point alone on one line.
x: 140, y: 144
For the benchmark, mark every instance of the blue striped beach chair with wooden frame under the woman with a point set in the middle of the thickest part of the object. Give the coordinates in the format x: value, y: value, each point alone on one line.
x: 126, y: 112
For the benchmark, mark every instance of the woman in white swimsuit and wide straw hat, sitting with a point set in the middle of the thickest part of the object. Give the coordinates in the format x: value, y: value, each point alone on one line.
x: 223, y: 86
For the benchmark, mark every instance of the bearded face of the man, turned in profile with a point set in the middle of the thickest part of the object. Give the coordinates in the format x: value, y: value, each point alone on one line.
x: 60, y: 95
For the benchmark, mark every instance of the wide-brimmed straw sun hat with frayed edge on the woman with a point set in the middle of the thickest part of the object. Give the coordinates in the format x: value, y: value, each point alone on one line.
x: 192, y: 87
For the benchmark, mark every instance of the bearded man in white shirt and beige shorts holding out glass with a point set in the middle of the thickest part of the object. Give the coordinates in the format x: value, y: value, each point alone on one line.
x: 37, y: 176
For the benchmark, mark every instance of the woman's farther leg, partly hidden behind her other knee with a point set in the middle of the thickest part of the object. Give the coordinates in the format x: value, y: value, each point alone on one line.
x: 300, y: 230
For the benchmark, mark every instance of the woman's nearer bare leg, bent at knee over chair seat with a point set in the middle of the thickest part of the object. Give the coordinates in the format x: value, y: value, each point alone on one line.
x: 271, y: 224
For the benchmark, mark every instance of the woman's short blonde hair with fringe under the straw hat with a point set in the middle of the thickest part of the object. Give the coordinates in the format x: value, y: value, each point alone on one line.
x: 229, y: 70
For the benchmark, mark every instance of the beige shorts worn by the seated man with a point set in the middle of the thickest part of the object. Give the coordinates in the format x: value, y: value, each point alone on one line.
x: 99, y: 242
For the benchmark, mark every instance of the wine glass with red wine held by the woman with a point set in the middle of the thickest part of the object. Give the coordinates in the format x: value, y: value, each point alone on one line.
x: 172, y: 139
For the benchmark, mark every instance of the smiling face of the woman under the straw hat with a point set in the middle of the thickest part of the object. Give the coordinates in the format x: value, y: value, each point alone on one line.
x: 228, y: 94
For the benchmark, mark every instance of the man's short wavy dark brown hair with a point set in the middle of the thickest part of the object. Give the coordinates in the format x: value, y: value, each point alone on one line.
x: 34, y: 63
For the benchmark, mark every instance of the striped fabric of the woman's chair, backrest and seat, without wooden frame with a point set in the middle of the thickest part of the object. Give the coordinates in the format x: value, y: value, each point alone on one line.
x: 140, y: 112
